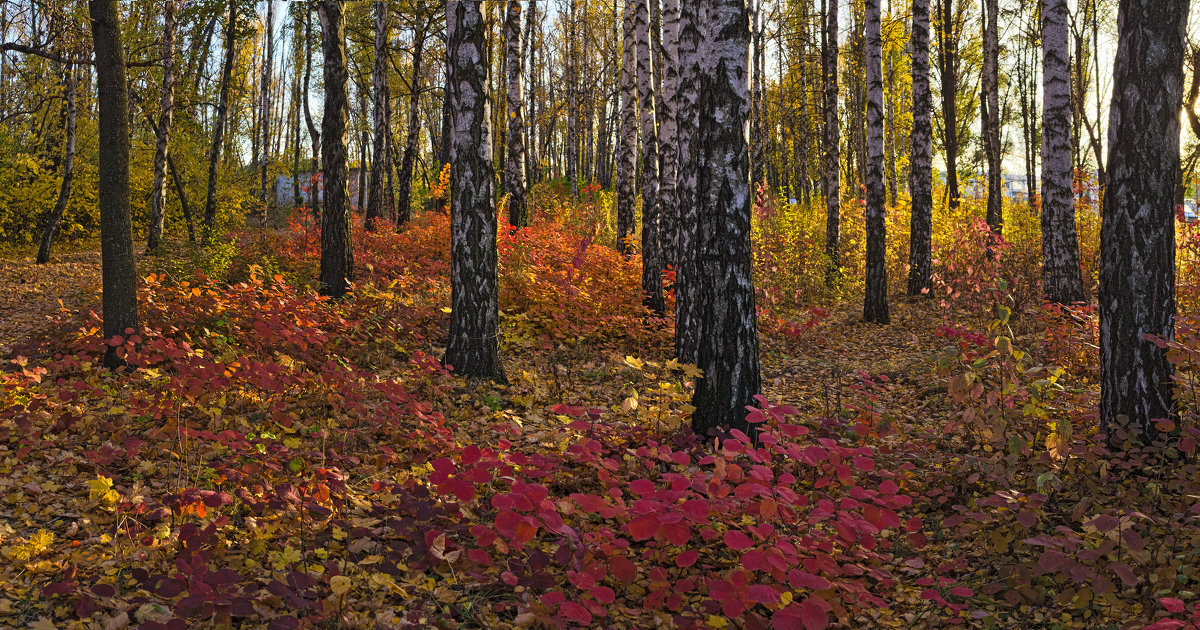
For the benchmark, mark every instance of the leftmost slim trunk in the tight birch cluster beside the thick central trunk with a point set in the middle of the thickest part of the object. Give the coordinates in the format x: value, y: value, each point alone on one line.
x: 627, y: 155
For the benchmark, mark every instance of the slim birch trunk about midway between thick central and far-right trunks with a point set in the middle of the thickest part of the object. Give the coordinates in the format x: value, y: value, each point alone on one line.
x: 922, y: 170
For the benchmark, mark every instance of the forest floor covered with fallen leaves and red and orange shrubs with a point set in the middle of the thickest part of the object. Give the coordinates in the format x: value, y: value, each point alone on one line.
x: 273, y: 459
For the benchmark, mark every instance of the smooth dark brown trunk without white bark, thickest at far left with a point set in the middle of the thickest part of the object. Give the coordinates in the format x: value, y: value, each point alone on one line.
x: 118, y: 268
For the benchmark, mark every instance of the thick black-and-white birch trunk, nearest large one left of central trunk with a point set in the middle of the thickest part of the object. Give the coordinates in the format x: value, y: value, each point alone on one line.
x: 473, y: 347
